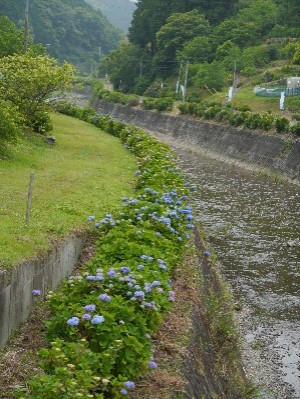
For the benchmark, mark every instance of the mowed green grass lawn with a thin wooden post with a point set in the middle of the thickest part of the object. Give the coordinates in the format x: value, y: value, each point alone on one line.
x: 85, y: 173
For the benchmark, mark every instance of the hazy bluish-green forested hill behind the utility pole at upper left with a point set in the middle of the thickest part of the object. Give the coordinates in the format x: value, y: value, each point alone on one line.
x: 70, y: 29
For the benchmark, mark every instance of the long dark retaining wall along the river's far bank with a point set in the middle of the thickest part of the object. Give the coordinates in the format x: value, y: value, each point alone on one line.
x: 245, y: 146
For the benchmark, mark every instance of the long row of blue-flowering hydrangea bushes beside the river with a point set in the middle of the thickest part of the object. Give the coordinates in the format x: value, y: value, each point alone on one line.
x: 103, y: 318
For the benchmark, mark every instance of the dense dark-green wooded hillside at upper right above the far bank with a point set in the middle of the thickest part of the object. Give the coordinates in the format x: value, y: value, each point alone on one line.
x: 213, y: 36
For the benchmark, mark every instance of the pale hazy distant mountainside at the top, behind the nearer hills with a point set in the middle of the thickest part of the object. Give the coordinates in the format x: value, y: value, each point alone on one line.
x: 118, y: 12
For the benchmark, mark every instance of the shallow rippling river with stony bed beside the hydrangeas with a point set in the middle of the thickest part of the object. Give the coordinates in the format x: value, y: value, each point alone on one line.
x: 253, y: 227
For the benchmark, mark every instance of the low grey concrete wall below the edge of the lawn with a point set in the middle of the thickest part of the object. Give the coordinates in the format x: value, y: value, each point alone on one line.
x: 16, y: 285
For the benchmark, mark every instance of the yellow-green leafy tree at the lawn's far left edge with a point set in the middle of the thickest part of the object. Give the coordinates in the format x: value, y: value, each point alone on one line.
x: 28, y: 80
